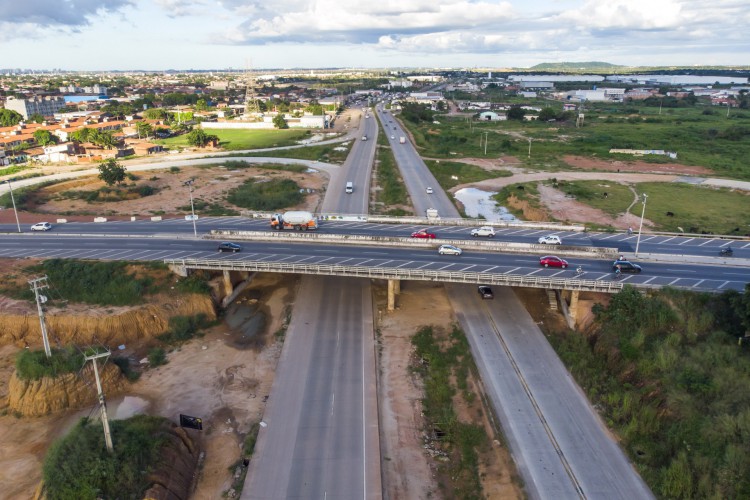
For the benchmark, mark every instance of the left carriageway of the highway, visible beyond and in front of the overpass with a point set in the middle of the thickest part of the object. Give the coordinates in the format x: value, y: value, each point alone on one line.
x: 321, y: 433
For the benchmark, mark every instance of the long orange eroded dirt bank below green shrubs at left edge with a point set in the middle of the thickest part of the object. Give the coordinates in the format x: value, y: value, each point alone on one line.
x: 129, y: 326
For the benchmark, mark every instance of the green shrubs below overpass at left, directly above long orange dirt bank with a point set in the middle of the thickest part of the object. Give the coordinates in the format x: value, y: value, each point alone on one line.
x: 94, y: 282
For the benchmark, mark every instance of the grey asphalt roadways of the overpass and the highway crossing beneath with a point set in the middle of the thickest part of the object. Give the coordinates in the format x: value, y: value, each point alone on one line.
x: 319, y: 438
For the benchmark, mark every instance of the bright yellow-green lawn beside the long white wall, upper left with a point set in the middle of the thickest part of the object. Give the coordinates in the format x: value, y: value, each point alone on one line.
x: 236, y: 139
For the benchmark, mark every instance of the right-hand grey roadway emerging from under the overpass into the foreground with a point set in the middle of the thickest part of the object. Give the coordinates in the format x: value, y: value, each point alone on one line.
x: 559, y: 443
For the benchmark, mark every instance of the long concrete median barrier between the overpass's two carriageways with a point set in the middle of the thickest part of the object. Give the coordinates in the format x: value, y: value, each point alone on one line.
x: 391, y: 241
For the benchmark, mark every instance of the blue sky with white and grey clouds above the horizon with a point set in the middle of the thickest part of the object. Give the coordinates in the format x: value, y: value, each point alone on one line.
x: 218, y: 34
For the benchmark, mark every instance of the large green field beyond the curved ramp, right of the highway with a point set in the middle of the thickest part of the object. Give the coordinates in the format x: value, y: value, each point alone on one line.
x: 709, y: 139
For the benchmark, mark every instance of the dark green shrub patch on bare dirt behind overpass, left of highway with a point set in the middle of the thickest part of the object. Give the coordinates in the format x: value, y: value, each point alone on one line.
x: 273, y: 194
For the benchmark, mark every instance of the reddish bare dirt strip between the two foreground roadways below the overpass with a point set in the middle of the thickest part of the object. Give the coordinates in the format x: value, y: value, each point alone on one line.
x: 408, y: 469
